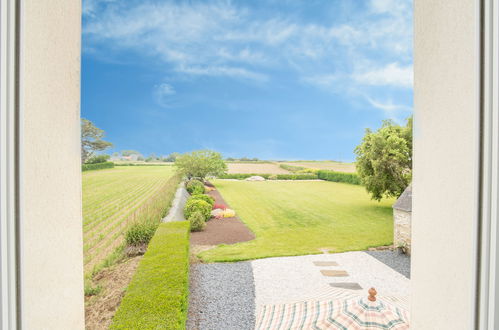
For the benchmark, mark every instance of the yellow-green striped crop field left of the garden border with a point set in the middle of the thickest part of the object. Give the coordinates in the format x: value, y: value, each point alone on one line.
x: 112, y: 199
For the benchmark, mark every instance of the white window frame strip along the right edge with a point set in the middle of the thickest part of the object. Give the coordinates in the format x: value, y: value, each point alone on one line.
x: 488, y: 258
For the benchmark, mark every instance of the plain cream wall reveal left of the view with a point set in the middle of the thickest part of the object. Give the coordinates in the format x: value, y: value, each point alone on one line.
x: 51, y: 232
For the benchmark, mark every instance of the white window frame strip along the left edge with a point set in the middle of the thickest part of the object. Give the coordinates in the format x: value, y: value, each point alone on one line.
x: 9, y: 165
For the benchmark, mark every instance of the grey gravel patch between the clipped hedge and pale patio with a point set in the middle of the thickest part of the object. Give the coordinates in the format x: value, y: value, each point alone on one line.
x: 222, y: 296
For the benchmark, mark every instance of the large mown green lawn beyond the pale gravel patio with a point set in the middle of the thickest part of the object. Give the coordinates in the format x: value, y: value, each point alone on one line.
x: 296, y: 218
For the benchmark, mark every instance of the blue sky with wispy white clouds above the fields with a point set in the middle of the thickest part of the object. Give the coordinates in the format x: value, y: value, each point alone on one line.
x: 273, y: 79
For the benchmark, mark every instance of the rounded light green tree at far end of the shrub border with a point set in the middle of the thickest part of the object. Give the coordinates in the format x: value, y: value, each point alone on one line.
x: 200, y: 164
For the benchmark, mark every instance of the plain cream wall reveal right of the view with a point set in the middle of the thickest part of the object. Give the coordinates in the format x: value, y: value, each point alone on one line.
x: 445, y: 164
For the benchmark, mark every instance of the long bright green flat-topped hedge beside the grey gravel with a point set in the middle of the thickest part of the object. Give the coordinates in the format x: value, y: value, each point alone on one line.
x: 157, y: 297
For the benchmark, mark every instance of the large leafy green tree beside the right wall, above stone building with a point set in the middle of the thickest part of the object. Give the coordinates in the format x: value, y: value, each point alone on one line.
x: 384, y: 159
